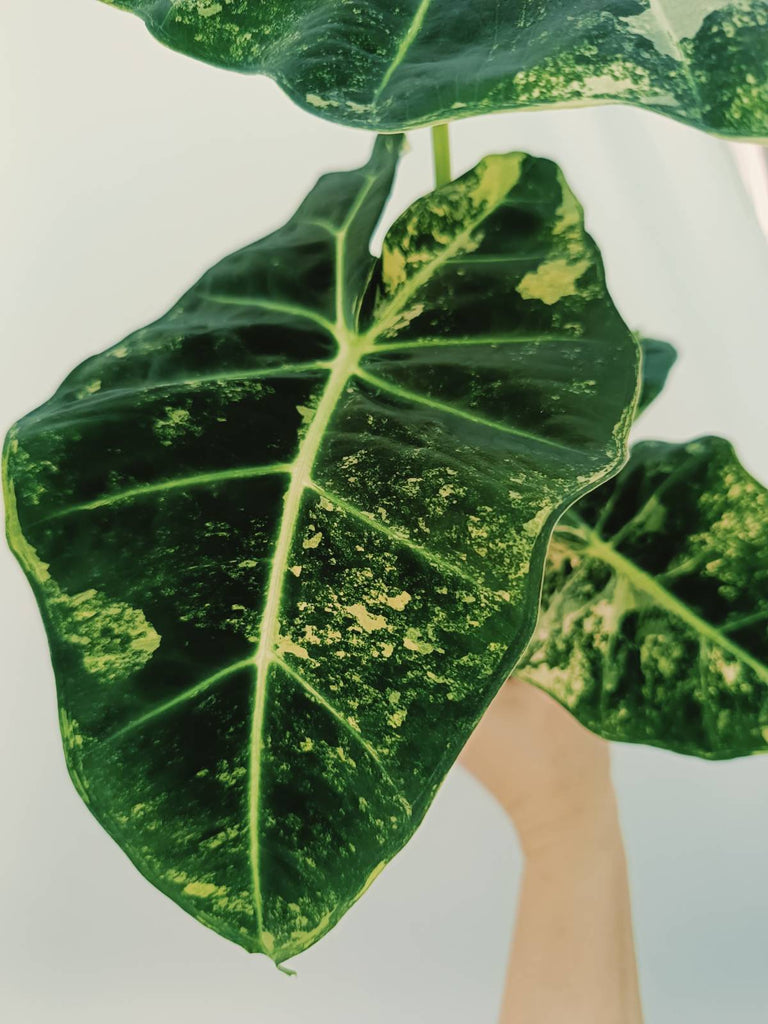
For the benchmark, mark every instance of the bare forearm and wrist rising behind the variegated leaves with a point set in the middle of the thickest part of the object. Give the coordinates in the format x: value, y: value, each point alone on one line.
x: 573, y: 958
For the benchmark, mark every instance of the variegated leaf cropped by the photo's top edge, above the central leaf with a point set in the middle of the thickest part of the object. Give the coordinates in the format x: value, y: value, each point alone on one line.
x: 389, y: 66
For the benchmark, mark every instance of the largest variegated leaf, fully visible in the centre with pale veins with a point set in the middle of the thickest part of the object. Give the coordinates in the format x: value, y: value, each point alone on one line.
x: 289, y: 540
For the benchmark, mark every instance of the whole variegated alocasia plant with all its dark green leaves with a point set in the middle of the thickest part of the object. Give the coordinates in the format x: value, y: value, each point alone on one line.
x: 290, y: 540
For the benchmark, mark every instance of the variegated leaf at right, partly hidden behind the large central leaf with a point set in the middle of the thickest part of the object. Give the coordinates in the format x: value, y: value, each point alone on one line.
x: 656, y: 628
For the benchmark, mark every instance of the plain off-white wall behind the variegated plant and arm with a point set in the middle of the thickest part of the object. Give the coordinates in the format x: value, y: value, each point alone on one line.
x: 127, y: 170
